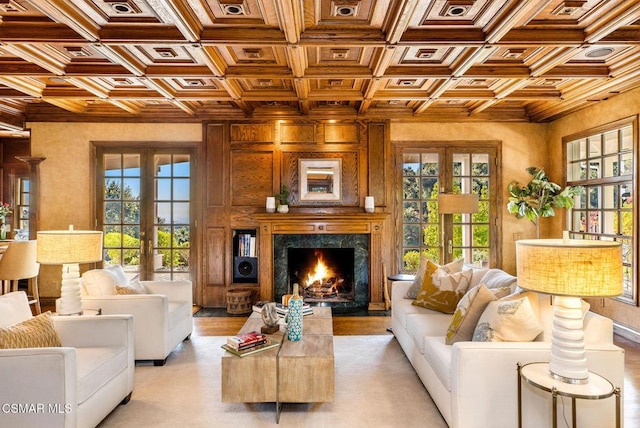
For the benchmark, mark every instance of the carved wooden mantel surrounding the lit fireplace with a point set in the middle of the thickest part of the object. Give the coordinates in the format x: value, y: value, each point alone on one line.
x: 299, y: 224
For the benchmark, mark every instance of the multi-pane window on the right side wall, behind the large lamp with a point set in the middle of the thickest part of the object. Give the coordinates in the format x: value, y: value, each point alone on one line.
x: 602, y: 163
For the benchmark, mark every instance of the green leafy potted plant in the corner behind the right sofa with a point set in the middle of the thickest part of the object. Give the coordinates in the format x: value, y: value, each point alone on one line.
x: 539, y: 197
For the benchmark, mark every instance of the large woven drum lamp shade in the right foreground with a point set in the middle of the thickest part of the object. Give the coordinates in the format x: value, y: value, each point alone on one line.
x: 570, y: 267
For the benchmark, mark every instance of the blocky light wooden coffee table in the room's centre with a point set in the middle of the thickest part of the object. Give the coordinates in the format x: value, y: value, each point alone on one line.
x: 295, y: 372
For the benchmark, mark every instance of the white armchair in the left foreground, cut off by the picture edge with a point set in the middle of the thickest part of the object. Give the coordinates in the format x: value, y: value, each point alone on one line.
x: 73, y: 386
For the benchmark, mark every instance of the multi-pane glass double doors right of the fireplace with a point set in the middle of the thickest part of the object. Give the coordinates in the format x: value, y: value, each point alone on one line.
x: 425, y: 174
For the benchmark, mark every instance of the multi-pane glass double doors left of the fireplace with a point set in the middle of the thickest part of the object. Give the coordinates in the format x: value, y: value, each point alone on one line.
x: 146, y: 211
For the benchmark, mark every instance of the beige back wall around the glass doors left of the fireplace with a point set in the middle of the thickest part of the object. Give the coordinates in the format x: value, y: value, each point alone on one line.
x: 65, y: 175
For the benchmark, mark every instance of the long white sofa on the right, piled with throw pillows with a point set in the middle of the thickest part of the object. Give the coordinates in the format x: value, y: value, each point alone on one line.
x: 474, y: 384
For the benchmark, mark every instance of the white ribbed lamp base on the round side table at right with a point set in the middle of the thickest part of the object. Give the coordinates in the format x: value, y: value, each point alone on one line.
x: 568, y: 356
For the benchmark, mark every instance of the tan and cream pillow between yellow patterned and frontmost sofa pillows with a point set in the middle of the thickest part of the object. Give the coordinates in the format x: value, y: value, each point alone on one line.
x: 469, y: 310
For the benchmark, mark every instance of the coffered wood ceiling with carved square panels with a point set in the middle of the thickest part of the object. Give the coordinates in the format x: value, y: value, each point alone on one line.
x: 193, y: 60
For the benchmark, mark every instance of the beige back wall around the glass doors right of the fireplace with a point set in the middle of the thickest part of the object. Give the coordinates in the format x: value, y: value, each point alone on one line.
x: 523, y: 145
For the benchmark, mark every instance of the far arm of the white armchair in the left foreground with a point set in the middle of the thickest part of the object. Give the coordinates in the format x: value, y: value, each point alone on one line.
x: 104, y: 330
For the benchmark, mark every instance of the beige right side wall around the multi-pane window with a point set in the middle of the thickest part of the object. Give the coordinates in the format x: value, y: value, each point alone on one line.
x: 618, y: 107
